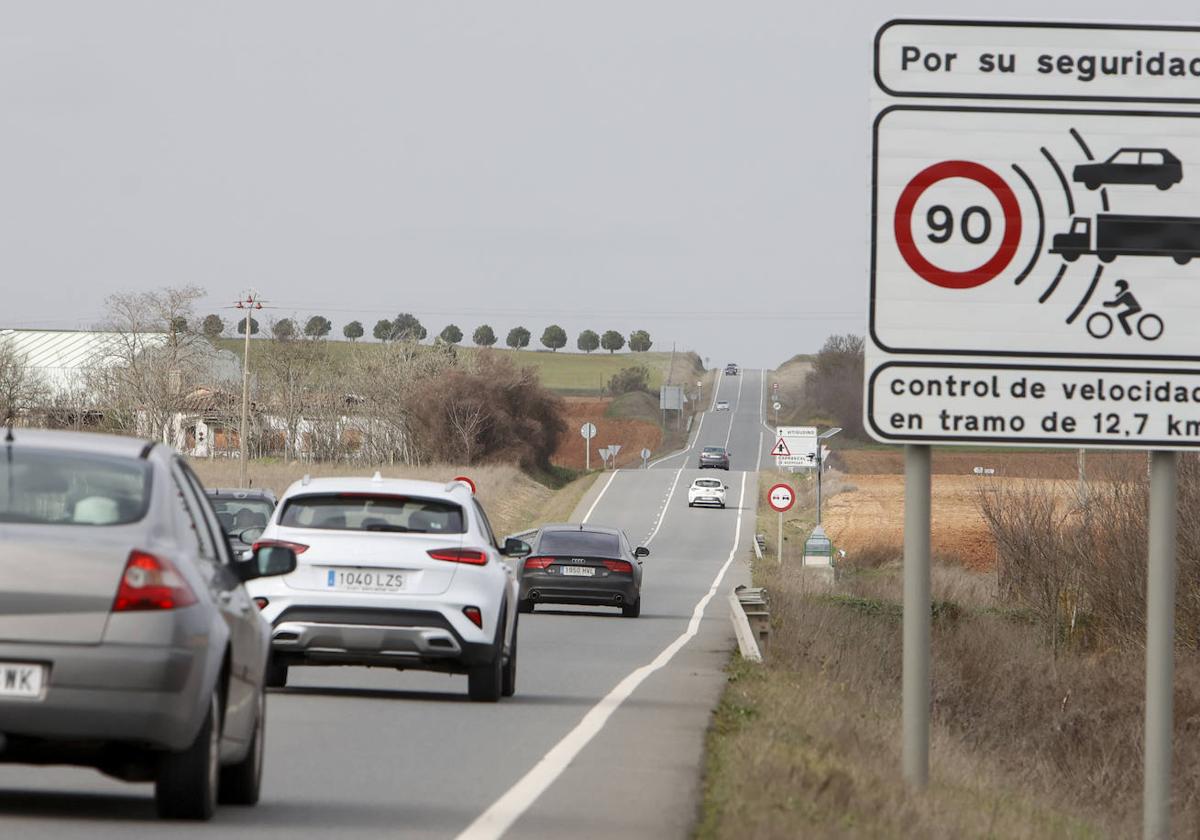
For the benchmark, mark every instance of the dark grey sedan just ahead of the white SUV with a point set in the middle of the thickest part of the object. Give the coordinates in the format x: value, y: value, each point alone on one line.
x: 584, y: 565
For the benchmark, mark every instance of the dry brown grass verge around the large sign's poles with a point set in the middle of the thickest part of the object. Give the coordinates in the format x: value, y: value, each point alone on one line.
x: 1025, y: 745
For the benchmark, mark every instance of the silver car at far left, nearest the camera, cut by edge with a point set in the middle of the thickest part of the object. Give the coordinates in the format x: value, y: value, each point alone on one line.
x: 128, y: 641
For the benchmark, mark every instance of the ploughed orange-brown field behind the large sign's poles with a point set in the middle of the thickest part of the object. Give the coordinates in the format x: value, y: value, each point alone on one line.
x: 868, y: 513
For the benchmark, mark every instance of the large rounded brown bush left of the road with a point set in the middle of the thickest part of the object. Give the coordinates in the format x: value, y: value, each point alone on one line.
x: 488, y: 412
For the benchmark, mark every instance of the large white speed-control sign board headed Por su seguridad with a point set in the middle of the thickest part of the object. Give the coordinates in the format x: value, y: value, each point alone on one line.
x: 1036, y: 243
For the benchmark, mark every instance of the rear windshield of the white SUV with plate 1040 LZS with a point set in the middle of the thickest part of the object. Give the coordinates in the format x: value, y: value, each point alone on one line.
x: 373, y: 512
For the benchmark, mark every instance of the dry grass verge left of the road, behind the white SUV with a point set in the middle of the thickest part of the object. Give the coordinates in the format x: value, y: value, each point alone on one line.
x: 514, y: 501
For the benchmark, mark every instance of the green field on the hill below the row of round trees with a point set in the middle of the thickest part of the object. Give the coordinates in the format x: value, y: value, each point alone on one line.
x: 571, y: 374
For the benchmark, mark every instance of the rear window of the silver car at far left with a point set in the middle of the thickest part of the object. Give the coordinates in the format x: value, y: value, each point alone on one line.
x: 49, y: 487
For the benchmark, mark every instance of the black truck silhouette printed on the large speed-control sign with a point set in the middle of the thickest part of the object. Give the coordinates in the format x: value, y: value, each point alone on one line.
x: 1119, y: 235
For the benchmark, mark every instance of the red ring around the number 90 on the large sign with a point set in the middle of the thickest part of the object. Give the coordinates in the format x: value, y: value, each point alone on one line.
x: 939, y: 275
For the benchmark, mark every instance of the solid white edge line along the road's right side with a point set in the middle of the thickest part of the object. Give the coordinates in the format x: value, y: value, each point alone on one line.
x: 518, y: 800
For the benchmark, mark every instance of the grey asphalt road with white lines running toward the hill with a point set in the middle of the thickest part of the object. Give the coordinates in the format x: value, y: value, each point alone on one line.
x: 604, y: 739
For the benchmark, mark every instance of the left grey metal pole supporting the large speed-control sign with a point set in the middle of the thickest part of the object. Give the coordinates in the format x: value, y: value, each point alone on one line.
x: 916, y: 691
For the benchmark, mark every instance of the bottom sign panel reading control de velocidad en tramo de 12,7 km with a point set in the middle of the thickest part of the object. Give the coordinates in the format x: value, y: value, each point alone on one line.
x: 1049, y: 405
